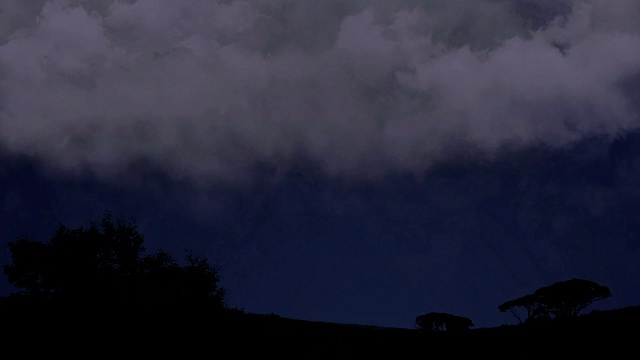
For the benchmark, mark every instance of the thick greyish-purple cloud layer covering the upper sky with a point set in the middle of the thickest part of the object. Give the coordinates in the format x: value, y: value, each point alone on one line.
x: 207, y: 90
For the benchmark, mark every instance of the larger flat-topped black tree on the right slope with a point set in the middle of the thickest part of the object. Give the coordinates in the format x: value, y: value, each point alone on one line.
x: 564, y: 299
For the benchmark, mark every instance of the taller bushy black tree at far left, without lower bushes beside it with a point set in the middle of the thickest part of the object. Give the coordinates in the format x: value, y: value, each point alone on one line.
x: 101, y: 261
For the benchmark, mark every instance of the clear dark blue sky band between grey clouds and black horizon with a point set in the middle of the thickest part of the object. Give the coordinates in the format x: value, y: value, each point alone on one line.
x: 462, y: 239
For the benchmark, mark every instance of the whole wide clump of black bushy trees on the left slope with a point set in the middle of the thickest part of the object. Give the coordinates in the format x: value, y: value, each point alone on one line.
x: 104, y: 264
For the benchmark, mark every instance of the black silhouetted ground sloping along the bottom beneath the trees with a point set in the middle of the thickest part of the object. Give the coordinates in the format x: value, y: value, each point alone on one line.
x: 29, y: 331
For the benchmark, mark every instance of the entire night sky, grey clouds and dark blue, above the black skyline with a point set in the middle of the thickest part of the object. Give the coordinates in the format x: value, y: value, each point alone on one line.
x: 345, y: 161
